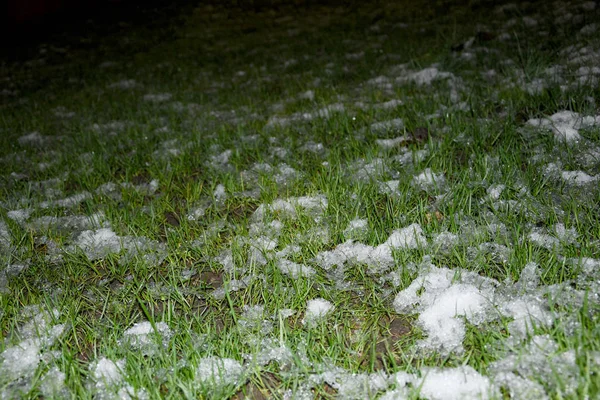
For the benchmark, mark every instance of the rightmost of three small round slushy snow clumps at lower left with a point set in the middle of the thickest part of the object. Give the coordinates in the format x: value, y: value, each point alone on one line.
x: 217, y: 373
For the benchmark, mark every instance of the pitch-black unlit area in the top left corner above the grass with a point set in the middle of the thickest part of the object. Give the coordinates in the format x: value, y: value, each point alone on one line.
x: 74, y: 24
